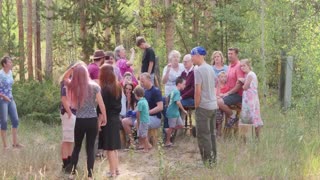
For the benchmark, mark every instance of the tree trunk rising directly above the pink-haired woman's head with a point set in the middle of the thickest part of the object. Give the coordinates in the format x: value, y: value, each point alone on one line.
x: 83, y: 30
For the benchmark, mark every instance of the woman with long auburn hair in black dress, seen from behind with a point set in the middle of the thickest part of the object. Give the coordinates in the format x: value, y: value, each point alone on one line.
x: 109, y: 138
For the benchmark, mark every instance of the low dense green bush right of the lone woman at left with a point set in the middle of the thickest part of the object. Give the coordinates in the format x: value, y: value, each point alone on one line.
x: 37, y: 101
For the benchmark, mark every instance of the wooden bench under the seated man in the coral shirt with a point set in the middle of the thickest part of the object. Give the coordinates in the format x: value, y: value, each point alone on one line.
x: 233, y: 131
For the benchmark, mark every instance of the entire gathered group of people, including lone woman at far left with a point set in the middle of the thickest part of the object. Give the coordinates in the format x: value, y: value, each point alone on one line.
x: 100, y: 99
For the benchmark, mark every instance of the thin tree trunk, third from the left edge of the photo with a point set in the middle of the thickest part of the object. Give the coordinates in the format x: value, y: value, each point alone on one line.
x: 38, y: 43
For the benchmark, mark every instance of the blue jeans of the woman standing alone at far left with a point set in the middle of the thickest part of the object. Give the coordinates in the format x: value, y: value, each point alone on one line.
x: 11, y: 109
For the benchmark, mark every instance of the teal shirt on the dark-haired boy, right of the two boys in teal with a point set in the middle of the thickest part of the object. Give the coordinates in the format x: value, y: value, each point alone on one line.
x: 173, y: 108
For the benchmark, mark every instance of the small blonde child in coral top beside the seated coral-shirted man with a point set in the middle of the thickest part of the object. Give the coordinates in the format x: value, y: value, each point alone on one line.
x: 221, y: 89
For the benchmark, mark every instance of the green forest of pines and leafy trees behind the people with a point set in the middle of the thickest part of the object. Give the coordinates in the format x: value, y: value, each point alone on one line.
x: 45, y: 36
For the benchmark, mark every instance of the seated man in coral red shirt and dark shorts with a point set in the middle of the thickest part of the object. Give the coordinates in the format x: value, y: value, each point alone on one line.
x: 234, y: 95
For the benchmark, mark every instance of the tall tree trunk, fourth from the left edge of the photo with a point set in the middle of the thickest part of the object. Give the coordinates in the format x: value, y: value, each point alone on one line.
x: 49, y: 26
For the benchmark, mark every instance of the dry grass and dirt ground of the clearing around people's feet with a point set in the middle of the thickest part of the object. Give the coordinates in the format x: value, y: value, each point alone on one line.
x: 288, y: 149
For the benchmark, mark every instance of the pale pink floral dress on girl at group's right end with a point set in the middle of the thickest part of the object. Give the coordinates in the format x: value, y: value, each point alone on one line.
x: 250, y: 112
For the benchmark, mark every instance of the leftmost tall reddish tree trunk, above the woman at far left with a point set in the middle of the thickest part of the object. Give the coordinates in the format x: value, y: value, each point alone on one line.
x: 21, y: 39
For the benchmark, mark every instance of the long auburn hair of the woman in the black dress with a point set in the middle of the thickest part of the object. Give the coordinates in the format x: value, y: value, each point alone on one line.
x: 108, y: 80
